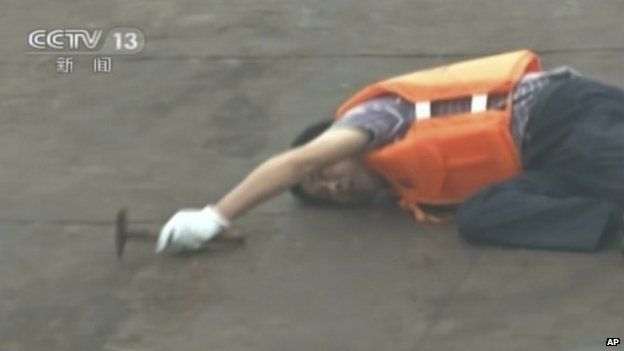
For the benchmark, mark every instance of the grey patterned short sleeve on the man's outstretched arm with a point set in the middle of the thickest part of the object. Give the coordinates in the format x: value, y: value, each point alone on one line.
x: 385, y: 119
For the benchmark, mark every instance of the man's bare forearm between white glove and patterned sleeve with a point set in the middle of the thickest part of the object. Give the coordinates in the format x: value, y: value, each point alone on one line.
x: 288, y: 168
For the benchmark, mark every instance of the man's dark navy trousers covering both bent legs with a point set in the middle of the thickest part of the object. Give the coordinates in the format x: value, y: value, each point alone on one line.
x: 570, y: 195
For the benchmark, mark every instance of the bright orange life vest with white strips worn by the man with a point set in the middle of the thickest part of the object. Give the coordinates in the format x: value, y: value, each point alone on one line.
x: 444, y: 160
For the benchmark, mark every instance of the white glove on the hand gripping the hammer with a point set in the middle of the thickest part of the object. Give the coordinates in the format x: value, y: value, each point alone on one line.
x: 190, y: 229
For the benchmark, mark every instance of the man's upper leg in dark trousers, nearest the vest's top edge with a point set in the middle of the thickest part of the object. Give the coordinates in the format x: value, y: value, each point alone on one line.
x: 579, y: 136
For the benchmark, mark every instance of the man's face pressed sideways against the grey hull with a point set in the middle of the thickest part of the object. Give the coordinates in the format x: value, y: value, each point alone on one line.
x: 346, y: 182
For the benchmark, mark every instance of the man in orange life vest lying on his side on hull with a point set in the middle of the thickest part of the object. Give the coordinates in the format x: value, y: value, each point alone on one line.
x: 532, y: 158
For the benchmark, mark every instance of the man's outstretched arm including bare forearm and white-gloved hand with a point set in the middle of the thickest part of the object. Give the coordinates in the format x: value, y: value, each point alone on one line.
x: 191, y: 228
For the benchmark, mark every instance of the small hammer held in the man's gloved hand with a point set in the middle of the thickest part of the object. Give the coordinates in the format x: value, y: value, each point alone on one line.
x: 122, y: 234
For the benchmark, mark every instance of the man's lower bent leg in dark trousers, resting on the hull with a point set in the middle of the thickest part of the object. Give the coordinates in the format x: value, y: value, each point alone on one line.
x: 535, y: 210
